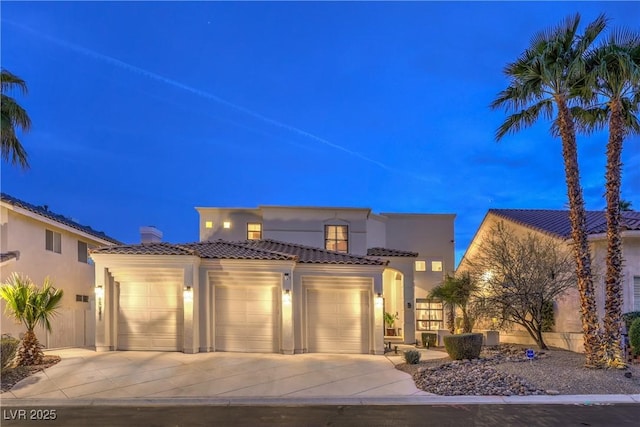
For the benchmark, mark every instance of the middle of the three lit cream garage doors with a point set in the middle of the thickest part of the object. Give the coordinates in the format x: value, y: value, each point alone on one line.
x: 246, y: 319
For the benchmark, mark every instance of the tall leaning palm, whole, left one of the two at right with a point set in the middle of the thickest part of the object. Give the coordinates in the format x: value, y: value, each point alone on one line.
x: 543, y: 82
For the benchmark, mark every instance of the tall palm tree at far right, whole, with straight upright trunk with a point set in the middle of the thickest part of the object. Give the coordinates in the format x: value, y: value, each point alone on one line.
x: 613, y: 93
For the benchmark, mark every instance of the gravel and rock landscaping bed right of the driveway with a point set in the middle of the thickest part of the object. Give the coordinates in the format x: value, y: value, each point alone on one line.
x: 504, y: 371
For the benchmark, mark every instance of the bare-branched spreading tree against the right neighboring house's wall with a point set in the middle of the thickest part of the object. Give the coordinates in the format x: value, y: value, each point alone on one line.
x: 521, y: 277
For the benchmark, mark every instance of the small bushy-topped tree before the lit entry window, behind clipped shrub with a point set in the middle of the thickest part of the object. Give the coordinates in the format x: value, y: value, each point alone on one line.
x: 458, y: 291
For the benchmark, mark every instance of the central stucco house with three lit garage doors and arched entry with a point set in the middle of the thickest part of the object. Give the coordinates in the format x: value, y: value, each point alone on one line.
x: 276, y: 279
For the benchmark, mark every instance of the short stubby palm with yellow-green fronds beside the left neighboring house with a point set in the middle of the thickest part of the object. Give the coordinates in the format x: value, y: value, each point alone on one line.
x: 31, y: 306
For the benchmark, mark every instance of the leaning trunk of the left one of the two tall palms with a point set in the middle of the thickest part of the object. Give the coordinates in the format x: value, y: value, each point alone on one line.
x: 577, y: 216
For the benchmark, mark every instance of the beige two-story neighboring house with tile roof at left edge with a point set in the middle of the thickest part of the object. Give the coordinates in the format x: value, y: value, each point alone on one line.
x: 39, y: 243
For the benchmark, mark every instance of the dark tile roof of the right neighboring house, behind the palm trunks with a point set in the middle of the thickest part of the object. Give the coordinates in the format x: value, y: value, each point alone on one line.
x: 557, y: 222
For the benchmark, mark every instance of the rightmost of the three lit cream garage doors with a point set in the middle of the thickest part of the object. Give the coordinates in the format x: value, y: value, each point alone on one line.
x: 338, y: 321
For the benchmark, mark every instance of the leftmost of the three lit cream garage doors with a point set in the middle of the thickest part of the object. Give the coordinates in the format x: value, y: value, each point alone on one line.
x: 150, y: 317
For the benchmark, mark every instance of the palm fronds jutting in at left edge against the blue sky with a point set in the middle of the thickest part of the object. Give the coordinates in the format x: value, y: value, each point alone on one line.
x: 13, y: 116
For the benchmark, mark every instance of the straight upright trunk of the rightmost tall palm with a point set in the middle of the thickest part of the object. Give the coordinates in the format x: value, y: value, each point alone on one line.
x: 613, y: 280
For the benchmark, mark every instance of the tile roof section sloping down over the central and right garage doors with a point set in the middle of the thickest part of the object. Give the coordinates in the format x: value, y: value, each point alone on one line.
x: 311, y: 255
